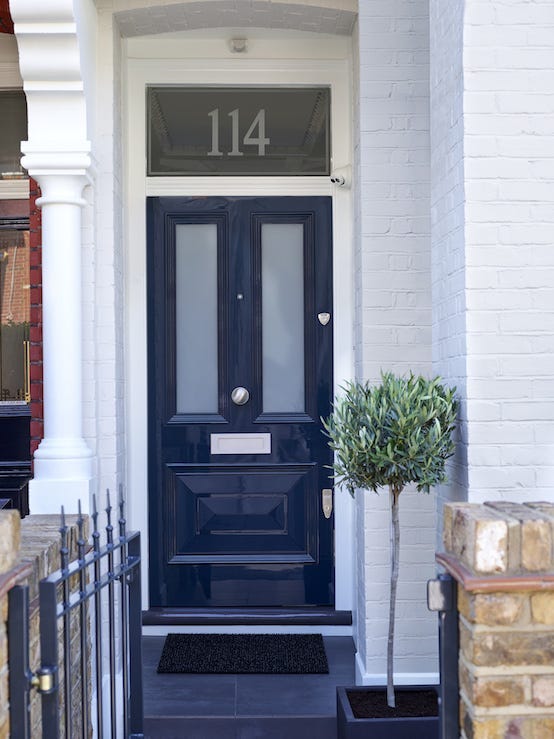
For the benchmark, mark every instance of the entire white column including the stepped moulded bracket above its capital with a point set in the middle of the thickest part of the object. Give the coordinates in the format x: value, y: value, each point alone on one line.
x: 56, y: 55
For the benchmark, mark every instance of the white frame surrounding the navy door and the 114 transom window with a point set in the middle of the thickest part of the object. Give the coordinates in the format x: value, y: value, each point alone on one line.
x: 159, y: 61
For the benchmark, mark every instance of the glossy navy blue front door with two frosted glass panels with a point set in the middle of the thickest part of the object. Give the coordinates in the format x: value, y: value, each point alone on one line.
x: 240, y: 373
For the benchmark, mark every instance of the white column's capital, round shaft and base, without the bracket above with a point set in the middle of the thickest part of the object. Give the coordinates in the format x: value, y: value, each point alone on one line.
x: 63, y: 469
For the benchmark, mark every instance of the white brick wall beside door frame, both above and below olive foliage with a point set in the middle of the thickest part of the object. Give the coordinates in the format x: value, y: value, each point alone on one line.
x: 393, y: 303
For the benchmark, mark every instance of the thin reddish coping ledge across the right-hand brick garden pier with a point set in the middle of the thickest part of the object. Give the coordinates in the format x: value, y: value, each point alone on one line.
x: 492, y: 583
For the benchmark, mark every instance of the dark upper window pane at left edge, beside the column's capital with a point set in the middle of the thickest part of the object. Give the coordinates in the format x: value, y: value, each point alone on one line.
x: 14, y: 130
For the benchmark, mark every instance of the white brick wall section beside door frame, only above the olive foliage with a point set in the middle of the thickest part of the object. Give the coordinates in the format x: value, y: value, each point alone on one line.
x: 394, y: 258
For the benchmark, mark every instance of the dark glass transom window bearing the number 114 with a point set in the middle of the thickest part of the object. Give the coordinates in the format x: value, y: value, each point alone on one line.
x: 238, y: 131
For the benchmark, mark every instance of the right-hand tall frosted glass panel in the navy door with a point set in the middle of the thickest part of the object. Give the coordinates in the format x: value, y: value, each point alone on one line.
x: 283, y: 317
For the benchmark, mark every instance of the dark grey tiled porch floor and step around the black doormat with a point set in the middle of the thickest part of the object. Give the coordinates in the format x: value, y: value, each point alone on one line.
x: 244, y: 706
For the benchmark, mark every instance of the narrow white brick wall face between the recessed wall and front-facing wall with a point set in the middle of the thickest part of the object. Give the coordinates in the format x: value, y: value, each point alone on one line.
x: 447, y: 225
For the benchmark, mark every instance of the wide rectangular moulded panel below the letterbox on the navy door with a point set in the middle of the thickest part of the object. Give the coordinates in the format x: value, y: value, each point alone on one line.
x: 242, y: 514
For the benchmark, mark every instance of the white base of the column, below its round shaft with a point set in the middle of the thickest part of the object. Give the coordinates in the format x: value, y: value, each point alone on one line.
x: 63, y: 475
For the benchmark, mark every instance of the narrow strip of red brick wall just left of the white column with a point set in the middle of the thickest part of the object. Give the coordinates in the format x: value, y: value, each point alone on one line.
x: 35, y: 258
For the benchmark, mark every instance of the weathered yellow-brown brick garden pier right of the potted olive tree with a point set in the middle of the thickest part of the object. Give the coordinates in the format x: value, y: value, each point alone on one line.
x: 502, y: 555
